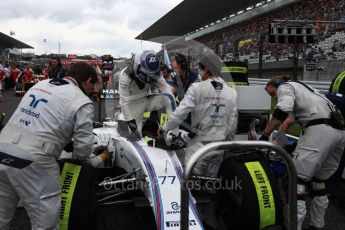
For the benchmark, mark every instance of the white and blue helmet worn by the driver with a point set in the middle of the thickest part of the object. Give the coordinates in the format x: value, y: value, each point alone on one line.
x: 146, y: 66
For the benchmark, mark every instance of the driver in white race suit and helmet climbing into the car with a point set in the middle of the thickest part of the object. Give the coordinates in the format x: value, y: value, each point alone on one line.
x: 138, y: 82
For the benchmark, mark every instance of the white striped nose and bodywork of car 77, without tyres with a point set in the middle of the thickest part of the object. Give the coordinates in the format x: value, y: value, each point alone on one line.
x: 155, y: 171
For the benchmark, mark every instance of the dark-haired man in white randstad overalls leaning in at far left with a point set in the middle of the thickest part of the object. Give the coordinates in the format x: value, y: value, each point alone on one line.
x: 49, y: 115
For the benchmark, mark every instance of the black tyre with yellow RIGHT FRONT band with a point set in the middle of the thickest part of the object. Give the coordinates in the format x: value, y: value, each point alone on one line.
x: 78, y: 196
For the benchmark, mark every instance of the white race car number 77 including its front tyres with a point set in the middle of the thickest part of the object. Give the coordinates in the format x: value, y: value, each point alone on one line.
x: 149, y: 171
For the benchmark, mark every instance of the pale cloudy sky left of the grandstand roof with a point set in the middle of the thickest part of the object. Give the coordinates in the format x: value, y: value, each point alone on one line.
x: 83, y: 27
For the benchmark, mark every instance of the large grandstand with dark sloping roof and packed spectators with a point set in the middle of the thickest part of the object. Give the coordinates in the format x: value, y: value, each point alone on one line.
x: 233, y: 31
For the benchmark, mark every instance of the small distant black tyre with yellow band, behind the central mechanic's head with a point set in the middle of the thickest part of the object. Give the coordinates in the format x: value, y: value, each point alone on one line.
x: 238, y: 73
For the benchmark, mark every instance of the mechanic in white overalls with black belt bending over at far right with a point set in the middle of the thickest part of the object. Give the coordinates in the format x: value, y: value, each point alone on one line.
x: 320, y: 144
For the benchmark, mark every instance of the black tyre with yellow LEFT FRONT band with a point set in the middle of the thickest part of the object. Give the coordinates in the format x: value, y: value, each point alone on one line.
x: 249, y: 198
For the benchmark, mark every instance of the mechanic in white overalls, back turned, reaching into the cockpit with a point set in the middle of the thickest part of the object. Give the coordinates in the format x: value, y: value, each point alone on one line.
x: 213, y: 107
